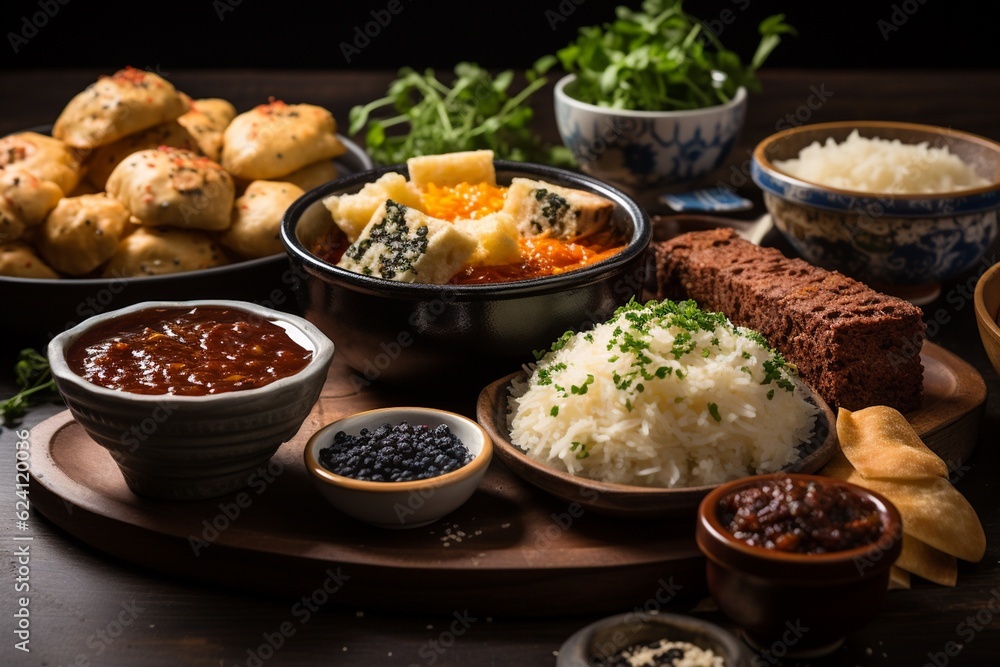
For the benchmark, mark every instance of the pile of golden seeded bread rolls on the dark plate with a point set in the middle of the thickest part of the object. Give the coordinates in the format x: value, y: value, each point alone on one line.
x: 138, y: 179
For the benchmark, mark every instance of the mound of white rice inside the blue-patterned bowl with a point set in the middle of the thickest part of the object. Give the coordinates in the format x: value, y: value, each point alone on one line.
x: 882, y: 165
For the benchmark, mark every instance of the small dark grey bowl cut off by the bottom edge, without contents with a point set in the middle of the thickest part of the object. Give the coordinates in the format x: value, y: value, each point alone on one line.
x: 597, y: 642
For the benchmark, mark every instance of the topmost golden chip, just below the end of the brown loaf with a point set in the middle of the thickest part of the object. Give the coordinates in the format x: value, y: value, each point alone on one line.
x: 881, y: 444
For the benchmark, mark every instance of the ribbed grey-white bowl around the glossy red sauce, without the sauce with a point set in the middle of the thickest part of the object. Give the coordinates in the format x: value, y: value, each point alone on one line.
x: 191, y: 447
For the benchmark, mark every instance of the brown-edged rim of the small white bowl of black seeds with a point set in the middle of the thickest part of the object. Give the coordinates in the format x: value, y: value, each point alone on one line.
x: 478, y: 464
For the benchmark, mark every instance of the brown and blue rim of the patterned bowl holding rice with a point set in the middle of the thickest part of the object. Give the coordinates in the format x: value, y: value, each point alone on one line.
x: 762, y: 162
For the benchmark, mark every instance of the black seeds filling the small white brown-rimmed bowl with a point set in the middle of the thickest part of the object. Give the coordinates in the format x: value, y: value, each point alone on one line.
x: 398, y: 453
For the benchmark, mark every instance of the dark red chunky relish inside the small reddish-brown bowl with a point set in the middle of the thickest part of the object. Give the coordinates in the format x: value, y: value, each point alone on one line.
x: 800, y: 516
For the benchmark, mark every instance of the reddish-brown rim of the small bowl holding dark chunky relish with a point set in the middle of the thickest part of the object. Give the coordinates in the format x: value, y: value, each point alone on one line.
x: 709, y: 521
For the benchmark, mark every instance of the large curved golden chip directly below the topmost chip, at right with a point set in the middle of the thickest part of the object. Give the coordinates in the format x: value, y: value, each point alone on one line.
x: 934, y: 512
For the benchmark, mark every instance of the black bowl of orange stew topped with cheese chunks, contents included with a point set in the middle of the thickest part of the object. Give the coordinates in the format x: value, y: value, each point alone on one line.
x: 454, y: 269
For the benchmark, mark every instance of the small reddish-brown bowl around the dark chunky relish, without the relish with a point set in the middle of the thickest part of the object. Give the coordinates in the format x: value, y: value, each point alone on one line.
x: 806, y: 603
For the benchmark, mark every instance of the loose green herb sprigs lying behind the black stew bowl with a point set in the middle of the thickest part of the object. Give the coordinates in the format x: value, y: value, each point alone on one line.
x: 476, y: 111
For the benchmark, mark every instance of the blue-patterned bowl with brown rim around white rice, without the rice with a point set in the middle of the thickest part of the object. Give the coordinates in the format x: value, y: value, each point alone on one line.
x: 904, y: 244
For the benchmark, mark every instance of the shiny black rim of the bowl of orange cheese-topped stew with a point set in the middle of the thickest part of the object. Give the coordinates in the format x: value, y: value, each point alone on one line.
x: 635, y: 246
